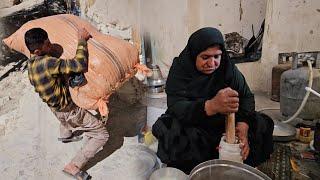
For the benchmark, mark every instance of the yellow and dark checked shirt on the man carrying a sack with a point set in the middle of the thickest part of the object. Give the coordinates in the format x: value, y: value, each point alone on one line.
x: 47, y: 75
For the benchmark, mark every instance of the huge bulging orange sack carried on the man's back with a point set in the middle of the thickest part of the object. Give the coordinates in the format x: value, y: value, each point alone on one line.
x: 112, y: 61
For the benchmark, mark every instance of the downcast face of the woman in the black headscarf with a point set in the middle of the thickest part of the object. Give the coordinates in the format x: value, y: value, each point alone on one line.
x: 209, y: 60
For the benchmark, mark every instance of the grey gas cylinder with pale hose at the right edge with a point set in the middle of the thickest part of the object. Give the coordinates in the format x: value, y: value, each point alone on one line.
x: 292, y: 90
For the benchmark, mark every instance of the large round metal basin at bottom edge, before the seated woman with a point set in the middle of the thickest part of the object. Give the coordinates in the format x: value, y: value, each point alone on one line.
x: 222, y: 169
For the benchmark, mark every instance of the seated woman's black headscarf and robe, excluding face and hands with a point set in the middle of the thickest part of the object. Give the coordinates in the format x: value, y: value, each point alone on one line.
x: 187, y: 136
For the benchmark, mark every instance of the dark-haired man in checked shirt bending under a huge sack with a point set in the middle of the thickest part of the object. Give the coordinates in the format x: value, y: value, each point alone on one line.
x: 47, y: 74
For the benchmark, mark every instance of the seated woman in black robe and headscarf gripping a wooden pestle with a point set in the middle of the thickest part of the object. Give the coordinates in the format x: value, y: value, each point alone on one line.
x: 203, y: 86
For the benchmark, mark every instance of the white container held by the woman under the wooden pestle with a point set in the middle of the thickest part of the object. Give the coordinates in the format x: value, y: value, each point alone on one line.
x: 231, y: 152
